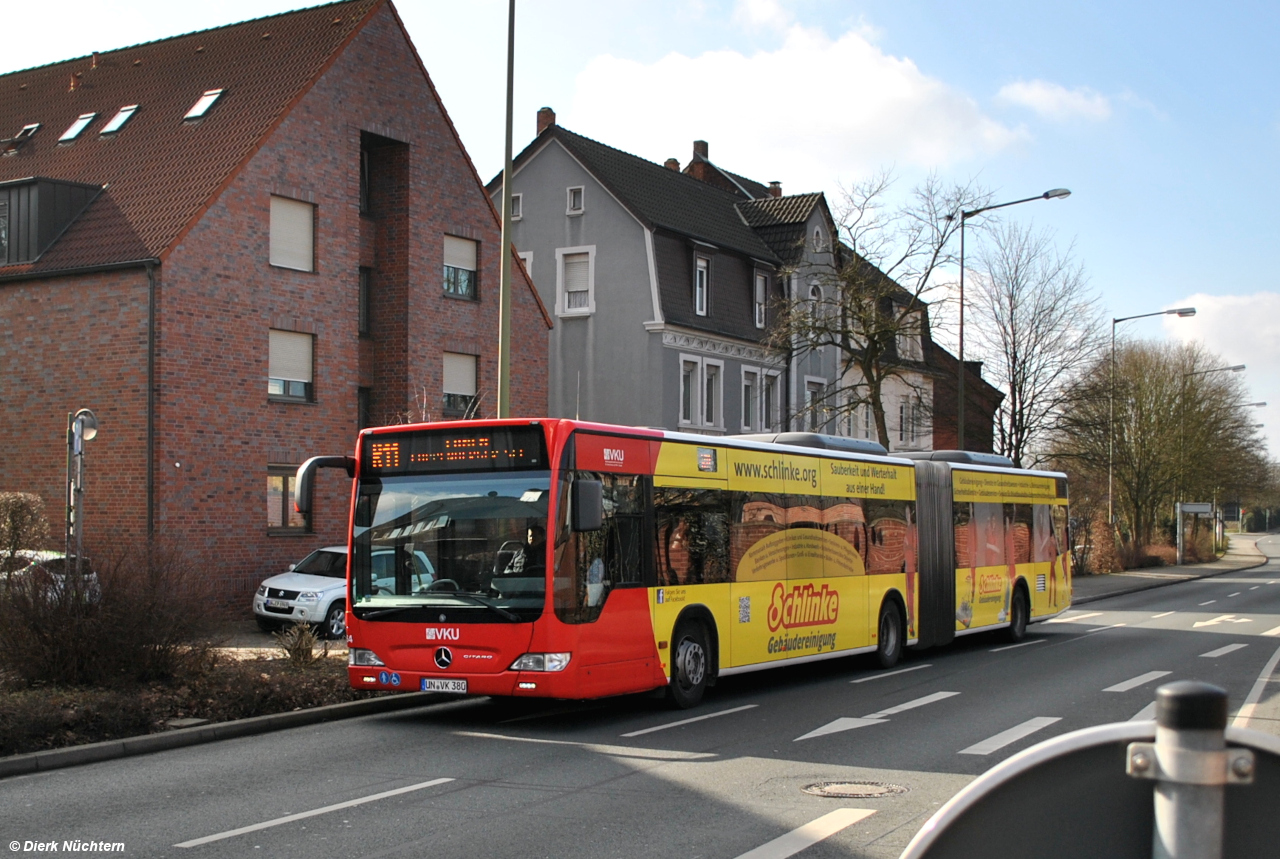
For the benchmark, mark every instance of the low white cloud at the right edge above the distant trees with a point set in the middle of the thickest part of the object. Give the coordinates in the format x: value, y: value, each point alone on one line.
x: 1244, y: 330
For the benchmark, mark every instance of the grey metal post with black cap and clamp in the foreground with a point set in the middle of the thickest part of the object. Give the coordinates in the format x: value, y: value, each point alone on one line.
x: 1192, y: 766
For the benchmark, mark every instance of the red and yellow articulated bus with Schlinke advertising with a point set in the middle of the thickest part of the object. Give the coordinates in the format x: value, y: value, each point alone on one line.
x: 574, y: 560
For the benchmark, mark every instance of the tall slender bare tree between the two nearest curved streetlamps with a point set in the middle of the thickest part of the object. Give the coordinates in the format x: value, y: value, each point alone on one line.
x: 1037, y: 327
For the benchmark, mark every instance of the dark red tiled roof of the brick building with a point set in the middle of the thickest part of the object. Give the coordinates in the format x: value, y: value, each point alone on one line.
x: 162, y: 172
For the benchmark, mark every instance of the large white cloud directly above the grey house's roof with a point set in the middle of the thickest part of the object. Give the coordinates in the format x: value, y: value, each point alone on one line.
x: 810, y: 113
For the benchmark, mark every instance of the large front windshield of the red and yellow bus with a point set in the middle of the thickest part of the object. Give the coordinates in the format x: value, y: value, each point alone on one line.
x: 472, y: 547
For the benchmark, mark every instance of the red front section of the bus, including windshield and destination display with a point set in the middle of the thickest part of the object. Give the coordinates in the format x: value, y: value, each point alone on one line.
x: 465, y: 574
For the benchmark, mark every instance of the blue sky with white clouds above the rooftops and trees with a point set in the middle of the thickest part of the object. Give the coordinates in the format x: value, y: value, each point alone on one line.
x: 1163, y: 118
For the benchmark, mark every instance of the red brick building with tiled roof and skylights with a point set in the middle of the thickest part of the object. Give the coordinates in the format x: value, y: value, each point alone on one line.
x: 239, y: 246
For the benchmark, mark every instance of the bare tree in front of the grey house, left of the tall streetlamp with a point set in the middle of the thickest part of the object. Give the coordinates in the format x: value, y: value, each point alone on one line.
x: 870, y: 304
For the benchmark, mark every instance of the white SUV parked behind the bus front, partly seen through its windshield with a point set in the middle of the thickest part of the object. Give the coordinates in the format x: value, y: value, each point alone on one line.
x: 316, y: 590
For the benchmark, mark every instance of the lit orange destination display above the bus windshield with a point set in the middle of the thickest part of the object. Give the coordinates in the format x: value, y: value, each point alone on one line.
x: 496, y: 449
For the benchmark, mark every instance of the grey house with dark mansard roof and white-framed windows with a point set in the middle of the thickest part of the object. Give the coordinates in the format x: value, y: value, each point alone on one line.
x: 664, y: 285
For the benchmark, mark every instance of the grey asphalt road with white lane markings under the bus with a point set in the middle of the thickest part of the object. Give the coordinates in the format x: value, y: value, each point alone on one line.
x: 628, y: 778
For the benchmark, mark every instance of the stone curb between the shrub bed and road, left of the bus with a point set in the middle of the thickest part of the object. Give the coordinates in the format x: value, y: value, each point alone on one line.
x: 112, y: 750
